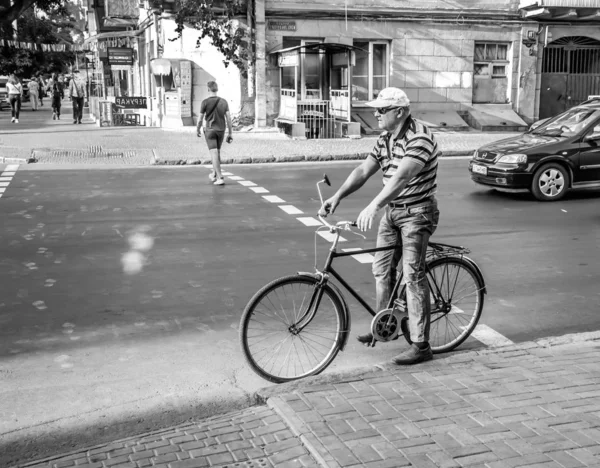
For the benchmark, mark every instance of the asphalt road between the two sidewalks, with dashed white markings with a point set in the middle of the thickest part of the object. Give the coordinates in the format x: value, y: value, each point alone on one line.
x: 122, y: 288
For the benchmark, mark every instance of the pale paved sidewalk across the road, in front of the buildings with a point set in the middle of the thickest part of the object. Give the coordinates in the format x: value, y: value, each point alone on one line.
x: 42, y: 140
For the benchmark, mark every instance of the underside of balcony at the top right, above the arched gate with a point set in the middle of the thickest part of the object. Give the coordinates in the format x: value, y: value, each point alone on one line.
x: 561, y: 10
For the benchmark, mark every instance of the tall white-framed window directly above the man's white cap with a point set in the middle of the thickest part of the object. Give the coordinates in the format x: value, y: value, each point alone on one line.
x: 370, y: 74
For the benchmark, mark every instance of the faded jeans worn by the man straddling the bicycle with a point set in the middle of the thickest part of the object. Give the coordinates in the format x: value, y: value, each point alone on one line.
x: 410, y: 229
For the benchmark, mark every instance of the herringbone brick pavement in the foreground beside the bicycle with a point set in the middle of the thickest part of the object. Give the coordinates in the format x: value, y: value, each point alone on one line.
x: 534, y: 404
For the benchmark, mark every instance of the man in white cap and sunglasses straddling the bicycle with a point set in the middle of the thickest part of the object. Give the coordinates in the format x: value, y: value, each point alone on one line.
x: 407, y: 153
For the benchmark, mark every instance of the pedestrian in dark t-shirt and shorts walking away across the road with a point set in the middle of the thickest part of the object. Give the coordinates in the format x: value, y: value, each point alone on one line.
x: 215, y: 111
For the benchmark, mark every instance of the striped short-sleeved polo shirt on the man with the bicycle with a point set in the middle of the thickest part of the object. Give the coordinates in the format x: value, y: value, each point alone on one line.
x: 414, y: 141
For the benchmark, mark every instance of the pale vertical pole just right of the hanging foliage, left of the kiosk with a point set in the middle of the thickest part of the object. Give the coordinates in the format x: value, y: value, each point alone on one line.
x: 260, y: 103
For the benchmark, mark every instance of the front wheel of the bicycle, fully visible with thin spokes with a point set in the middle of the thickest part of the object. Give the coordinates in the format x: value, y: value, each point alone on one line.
x: 291, y: 329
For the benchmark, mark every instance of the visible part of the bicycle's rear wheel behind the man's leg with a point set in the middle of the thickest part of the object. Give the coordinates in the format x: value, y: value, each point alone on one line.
x: 456, y: 302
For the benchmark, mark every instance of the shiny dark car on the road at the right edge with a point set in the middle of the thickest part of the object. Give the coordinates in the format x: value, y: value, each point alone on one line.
x: 561, y: 154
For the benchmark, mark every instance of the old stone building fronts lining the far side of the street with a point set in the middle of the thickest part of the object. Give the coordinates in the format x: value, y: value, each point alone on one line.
x: 478, y: 63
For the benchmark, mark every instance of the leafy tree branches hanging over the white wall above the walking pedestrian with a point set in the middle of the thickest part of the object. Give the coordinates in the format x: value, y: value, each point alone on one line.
x: 216, y: 20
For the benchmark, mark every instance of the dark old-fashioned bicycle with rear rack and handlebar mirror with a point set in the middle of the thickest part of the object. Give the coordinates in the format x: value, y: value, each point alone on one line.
x: 313, y: 317
